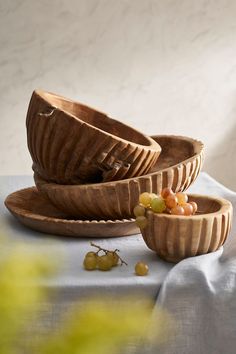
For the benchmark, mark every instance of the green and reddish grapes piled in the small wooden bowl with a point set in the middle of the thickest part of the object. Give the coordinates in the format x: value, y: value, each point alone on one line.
x: 168, y: 202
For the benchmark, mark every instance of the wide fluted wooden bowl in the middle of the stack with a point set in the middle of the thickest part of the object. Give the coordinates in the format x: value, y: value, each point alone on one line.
x: 178, y: 166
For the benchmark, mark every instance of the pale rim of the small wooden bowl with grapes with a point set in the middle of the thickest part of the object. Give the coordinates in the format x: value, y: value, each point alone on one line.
x: 225, y: 207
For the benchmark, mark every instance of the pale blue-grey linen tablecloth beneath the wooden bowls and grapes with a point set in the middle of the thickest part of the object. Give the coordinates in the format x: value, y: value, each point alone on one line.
x: 199, y: 292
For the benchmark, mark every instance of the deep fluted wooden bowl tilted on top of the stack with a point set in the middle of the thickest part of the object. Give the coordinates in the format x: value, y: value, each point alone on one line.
x: 71, y: 143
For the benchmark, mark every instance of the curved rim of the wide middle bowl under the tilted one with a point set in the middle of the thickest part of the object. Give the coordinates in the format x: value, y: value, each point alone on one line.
x: 198, y: 150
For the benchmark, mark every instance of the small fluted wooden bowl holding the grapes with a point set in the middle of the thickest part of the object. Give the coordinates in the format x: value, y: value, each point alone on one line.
x: 175, y: 237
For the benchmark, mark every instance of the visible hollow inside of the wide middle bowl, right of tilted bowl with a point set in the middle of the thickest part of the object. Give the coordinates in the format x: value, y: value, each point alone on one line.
x: 174, y: 150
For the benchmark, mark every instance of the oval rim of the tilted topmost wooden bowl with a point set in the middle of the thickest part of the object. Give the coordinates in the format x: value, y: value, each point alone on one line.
x: 152, y: 144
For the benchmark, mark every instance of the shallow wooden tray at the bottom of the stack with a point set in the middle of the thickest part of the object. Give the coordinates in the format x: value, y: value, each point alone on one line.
x: 32, y: 210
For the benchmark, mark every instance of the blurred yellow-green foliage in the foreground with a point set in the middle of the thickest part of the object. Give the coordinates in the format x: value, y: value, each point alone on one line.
x: 99, y: 327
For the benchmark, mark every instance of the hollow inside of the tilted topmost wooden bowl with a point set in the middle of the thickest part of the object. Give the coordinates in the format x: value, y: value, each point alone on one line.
x: 96, y: 119
